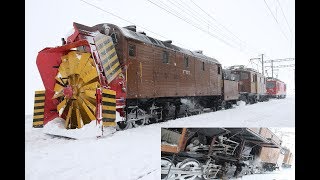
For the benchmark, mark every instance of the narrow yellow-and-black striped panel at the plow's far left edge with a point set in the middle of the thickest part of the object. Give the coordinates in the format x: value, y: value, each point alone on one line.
x: 38, y: 112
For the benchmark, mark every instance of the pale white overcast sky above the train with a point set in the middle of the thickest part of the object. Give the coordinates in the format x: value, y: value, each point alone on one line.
x: 251, y: 21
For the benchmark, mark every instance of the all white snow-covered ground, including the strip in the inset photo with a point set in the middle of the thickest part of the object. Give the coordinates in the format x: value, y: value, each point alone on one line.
x: 135, y: 153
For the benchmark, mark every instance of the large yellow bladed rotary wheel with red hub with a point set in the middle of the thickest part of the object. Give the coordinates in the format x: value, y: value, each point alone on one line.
x: 75, y: 89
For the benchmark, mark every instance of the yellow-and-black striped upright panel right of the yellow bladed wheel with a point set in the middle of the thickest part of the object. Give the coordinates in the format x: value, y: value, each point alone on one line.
x: 108, y: 107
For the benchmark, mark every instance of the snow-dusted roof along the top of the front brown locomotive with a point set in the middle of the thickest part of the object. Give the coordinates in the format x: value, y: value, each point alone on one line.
x: 149, y: 40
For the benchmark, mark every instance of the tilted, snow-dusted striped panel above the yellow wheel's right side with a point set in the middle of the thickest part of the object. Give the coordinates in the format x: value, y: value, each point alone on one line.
x: 108, y: 56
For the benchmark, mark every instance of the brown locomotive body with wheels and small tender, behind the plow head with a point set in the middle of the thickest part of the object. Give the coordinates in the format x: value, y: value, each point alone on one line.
x: 165, y: 81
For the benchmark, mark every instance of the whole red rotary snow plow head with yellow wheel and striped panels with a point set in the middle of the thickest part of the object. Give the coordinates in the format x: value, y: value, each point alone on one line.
x: 81, y: 80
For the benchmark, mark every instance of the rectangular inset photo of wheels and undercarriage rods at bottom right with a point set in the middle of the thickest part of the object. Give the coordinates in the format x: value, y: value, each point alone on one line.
x: 227, y: 153
